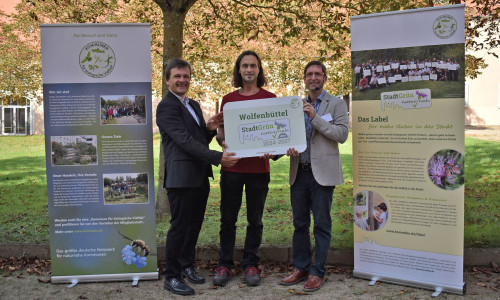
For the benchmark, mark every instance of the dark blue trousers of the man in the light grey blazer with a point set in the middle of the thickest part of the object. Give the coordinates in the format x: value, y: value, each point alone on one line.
x: 307, y: 195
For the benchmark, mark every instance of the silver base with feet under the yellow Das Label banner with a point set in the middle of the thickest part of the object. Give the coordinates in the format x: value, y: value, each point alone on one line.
x: 460, y: 290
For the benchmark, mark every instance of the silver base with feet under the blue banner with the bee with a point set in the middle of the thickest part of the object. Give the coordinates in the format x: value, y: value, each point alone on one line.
x: 75, y: 279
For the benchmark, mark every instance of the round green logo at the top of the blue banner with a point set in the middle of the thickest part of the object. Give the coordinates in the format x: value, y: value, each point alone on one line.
x: 97, y: 59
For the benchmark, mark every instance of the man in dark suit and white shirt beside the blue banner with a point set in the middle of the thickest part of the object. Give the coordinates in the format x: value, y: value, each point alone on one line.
x: 188, y: 159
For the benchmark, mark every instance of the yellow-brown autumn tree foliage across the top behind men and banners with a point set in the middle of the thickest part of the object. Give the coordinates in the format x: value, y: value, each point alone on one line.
x: 286, y: 34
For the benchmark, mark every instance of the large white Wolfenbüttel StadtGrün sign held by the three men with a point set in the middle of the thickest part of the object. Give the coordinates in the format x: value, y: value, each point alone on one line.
x: 257, y: 127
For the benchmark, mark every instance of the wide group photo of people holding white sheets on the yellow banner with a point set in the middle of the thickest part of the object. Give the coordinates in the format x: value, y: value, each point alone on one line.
x: 438, y: 68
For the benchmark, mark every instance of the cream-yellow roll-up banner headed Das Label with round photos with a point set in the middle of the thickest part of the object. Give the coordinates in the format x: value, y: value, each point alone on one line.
x: 408, y: 147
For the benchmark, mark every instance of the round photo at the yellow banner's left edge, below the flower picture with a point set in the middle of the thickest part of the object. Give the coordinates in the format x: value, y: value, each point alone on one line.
x: 370, y: 210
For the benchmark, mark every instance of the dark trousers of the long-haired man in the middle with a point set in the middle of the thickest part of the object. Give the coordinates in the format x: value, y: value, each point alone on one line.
x: 256, y: 188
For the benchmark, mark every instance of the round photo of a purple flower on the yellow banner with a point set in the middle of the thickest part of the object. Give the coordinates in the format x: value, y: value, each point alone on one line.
x: 446, y: 169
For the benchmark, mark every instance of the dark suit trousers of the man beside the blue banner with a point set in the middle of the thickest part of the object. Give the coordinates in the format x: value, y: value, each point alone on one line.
x: 187, y: 207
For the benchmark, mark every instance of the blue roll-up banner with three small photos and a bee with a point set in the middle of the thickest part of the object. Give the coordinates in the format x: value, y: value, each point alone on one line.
x: 99, y: 151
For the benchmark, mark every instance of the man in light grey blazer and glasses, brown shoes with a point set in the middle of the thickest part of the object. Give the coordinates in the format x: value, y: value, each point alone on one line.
x: 314, y: 174
